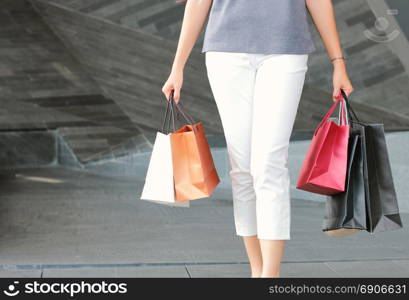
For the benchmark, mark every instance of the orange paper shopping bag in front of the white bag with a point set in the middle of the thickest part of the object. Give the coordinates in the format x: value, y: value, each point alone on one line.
x: 194, y: 172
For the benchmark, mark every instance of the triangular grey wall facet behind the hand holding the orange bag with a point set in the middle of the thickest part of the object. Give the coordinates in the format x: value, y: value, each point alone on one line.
x: 131, y: 66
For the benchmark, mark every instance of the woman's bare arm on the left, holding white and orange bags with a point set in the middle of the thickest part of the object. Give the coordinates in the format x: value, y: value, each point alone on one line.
x: 195, y: 15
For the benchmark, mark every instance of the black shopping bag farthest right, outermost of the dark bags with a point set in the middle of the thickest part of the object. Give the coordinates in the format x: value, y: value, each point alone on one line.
x: 381, y: 201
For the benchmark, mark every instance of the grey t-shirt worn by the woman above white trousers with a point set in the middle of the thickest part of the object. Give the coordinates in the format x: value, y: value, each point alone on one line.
x: 258, y: 26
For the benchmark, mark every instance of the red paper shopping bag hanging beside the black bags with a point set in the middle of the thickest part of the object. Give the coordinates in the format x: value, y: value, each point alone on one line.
x: 324, y: 167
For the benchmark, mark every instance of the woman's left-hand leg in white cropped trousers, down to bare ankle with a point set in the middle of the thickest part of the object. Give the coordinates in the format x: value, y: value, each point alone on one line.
x: 232, y: 78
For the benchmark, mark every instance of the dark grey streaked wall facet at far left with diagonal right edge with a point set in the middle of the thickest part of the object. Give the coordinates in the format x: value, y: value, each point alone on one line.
x: 43, y: 86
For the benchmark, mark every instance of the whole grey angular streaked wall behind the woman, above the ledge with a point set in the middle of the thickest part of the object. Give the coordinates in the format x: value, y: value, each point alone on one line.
x: 92, y: 70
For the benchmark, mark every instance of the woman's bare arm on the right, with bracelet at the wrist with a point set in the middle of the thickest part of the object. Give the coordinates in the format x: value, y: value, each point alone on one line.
x: 322, y: 13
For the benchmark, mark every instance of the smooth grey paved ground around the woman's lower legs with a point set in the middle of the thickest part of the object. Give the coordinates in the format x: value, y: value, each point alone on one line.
x: 63, y: 223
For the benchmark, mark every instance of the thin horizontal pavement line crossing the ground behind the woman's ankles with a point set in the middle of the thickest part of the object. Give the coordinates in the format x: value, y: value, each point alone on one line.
x: 121, y: 265
